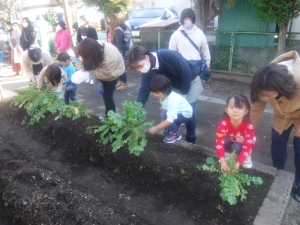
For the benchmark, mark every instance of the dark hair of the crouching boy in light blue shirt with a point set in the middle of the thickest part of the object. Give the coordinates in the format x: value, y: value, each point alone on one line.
x: 160, y: 83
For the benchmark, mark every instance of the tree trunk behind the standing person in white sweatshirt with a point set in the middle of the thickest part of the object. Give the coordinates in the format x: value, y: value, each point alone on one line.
x: 201, y: 11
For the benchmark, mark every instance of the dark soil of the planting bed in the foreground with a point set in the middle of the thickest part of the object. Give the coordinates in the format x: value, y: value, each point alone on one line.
x: 55, y: 173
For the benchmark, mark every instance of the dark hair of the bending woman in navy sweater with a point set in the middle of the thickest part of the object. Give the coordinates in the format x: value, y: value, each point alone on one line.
x: 138, y: 53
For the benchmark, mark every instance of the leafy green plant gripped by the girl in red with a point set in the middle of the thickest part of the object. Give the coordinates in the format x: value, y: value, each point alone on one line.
x: 232, y: 183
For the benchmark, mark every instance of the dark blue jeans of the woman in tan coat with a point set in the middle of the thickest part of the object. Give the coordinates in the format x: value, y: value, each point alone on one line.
x: 279, y: 151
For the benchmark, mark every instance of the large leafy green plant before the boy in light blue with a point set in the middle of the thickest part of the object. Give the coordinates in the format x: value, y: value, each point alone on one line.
x: 127, y: 129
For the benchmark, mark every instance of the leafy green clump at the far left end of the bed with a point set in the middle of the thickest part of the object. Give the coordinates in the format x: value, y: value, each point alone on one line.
x: 38, y: 104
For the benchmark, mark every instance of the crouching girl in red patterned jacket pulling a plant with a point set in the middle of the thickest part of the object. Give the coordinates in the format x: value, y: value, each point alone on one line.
x: 236, y: 133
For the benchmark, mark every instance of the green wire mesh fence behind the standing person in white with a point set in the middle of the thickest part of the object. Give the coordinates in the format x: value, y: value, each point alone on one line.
x: 231, y: 52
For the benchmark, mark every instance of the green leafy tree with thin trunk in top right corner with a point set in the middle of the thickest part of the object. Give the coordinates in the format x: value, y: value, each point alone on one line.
x: 280, y: 12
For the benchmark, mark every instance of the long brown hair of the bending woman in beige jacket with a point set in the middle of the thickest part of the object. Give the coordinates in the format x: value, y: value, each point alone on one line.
x: 92, y: 53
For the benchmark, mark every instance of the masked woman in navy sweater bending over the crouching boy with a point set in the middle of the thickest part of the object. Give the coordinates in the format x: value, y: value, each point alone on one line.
x: 182, y: 74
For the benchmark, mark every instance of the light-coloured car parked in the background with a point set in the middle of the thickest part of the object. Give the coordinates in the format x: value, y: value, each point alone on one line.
x: 142, y: 16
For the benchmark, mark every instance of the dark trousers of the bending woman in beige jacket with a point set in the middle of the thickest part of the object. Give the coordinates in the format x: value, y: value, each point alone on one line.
x: 109, y: 89
